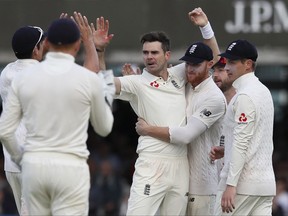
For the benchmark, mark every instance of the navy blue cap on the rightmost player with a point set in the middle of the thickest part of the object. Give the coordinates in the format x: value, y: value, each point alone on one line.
x: 240, y: 49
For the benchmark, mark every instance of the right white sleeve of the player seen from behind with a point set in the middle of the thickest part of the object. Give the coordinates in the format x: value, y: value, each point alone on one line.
x: 101, y: 116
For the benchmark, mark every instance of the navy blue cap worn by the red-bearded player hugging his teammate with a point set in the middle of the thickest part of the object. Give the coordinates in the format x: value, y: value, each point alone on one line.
x: 197, y: 53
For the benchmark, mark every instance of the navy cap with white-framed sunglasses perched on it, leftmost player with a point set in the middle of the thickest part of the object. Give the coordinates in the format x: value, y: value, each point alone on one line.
x: 26, y: 38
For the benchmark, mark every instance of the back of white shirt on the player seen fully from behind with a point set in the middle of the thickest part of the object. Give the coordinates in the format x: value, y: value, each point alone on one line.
x: 55, y: 96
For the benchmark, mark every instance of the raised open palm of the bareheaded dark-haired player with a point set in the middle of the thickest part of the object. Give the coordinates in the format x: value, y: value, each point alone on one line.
x: 101, y: 36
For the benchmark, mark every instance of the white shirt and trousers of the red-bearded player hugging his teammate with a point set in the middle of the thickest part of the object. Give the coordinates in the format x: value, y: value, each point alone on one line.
x: 207, y: 104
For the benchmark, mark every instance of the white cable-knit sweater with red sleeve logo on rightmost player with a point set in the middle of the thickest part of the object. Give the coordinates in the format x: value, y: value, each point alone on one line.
x: 248, y: 130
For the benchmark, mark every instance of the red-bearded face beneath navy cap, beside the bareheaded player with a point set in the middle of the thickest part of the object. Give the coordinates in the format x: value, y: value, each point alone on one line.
x: 197, y: 73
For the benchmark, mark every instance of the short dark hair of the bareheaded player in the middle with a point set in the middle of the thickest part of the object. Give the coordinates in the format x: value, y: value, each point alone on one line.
x: 159, y: 36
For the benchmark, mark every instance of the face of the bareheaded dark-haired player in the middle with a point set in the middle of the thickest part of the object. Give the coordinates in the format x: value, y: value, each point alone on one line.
x: 154, y: 57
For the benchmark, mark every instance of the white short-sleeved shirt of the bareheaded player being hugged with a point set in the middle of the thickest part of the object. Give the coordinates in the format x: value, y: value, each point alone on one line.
x: 160, y: 103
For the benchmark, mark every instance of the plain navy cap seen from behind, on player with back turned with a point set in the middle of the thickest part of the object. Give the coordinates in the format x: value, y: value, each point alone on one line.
x: 63, y: 31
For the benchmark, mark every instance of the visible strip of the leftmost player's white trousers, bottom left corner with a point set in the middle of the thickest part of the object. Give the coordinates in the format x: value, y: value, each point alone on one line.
x: 14, y: 180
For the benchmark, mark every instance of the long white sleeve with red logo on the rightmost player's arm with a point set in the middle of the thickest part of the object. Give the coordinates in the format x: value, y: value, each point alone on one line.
x: 245, y: 117
